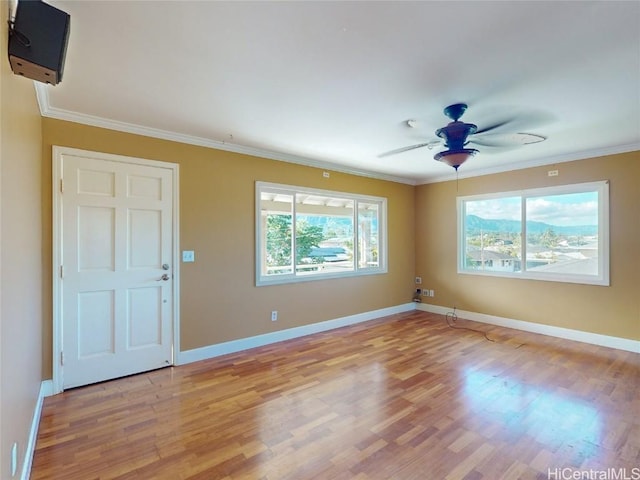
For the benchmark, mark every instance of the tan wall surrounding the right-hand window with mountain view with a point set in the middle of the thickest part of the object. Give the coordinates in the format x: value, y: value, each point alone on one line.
x: 613, y: 310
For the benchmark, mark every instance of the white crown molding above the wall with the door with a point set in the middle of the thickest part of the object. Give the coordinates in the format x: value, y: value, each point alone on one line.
x: 42, y: 95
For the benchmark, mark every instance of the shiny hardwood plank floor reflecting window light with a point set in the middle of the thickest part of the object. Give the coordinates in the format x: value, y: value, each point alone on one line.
x: 403, y: 397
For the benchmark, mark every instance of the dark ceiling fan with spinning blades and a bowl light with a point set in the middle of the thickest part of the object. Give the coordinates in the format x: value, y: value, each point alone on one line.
x: 456, y: 135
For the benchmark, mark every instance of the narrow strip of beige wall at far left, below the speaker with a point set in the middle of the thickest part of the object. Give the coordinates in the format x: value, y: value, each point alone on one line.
x: 20, y: 256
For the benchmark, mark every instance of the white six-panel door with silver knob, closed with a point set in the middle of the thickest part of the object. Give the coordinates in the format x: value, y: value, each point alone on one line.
x: 116, y: 272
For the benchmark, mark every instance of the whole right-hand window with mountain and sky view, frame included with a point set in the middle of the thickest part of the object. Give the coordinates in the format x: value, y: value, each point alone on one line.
x: 556, y: 233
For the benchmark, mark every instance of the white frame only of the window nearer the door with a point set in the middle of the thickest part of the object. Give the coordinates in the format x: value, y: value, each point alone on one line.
x: 294, y: 277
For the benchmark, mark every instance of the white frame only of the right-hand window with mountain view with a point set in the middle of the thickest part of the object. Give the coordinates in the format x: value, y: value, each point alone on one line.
x: 601, y: 278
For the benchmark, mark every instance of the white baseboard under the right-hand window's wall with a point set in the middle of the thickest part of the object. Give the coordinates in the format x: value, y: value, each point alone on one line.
x: 550, y: 330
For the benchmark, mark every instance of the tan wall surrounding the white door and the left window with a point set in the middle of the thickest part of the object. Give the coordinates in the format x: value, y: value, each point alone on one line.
x: 219, y: 300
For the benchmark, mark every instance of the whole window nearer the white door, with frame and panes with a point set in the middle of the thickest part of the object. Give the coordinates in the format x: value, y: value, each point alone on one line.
x: 336, y: 234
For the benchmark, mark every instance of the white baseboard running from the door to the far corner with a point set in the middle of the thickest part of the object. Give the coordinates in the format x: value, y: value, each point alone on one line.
x: 233, y: 346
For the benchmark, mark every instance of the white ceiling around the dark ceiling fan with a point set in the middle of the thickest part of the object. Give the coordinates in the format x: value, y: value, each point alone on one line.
x: 332, y: 84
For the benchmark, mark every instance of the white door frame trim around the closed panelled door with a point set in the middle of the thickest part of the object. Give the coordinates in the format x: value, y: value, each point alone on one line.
x: 57, y: 334
